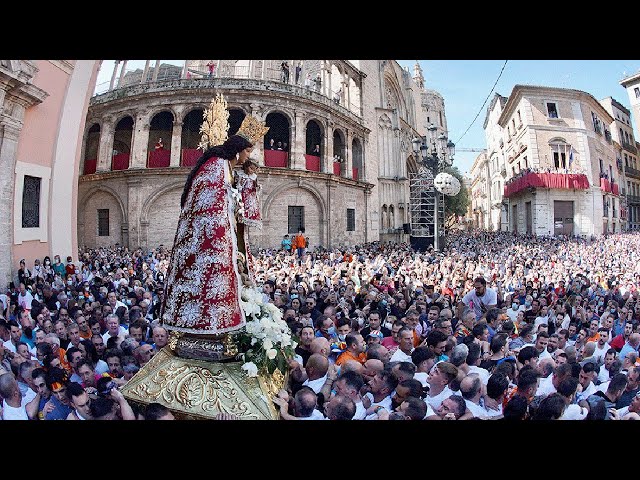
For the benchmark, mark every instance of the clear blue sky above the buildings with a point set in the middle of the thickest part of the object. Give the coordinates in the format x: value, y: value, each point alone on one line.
x: 465, y: 84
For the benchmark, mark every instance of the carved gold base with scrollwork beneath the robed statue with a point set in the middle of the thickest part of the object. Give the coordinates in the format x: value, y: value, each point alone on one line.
x: 197, y: 389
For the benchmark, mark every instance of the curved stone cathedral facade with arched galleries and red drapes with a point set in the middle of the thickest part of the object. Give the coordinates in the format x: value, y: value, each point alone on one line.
x: 335, y: 161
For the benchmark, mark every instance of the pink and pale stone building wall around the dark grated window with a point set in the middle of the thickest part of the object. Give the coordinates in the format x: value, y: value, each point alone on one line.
x: 45, y: 104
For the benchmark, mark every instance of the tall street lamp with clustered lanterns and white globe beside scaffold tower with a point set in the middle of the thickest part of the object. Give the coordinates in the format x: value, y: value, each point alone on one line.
x: 435, y: 153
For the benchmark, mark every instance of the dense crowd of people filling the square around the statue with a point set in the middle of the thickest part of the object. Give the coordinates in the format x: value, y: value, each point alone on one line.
x: 497, y: 326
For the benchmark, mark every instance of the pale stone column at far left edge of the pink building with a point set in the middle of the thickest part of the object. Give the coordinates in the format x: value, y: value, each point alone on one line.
x: 8, y: 151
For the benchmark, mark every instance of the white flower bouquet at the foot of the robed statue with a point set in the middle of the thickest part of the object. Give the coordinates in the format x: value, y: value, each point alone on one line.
x: 266, y: 339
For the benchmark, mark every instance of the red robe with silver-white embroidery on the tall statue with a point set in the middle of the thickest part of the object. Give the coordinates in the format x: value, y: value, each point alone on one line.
x: 203, y: 282
